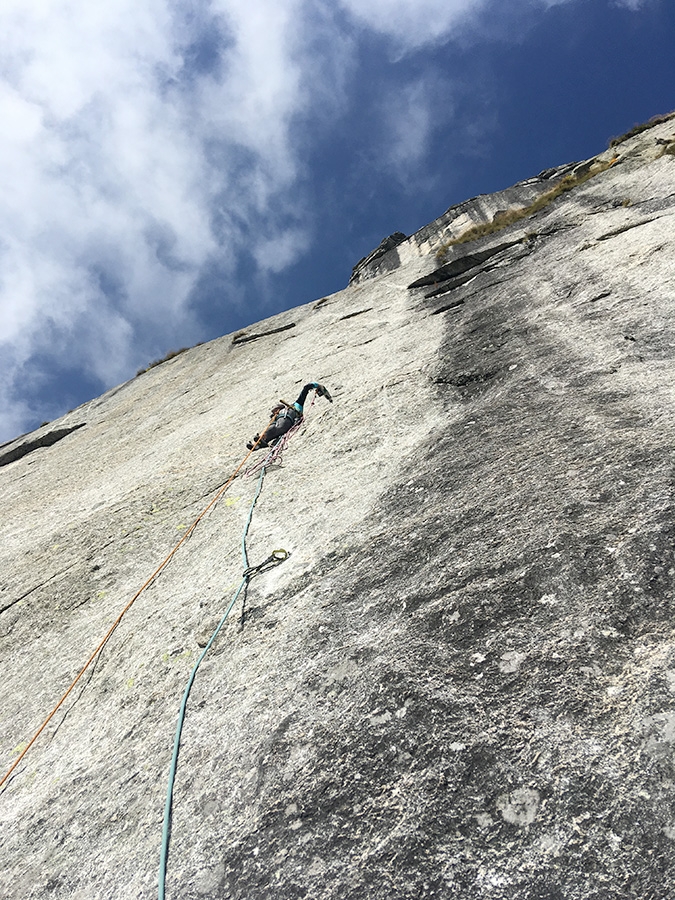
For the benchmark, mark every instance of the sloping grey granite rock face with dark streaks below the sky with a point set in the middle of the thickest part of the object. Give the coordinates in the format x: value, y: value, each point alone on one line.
x: 461, y: 682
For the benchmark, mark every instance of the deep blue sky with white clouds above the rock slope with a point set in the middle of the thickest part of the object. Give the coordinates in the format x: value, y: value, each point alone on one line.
x: 174, y: 170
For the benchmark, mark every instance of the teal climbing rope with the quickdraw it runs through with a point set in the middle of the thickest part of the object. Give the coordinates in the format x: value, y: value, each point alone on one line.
x: 274, y: 559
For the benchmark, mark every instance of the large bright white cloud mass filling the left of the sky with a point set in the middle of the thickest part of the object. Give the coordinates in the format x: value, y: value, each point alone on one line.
x: 124, y: 127
